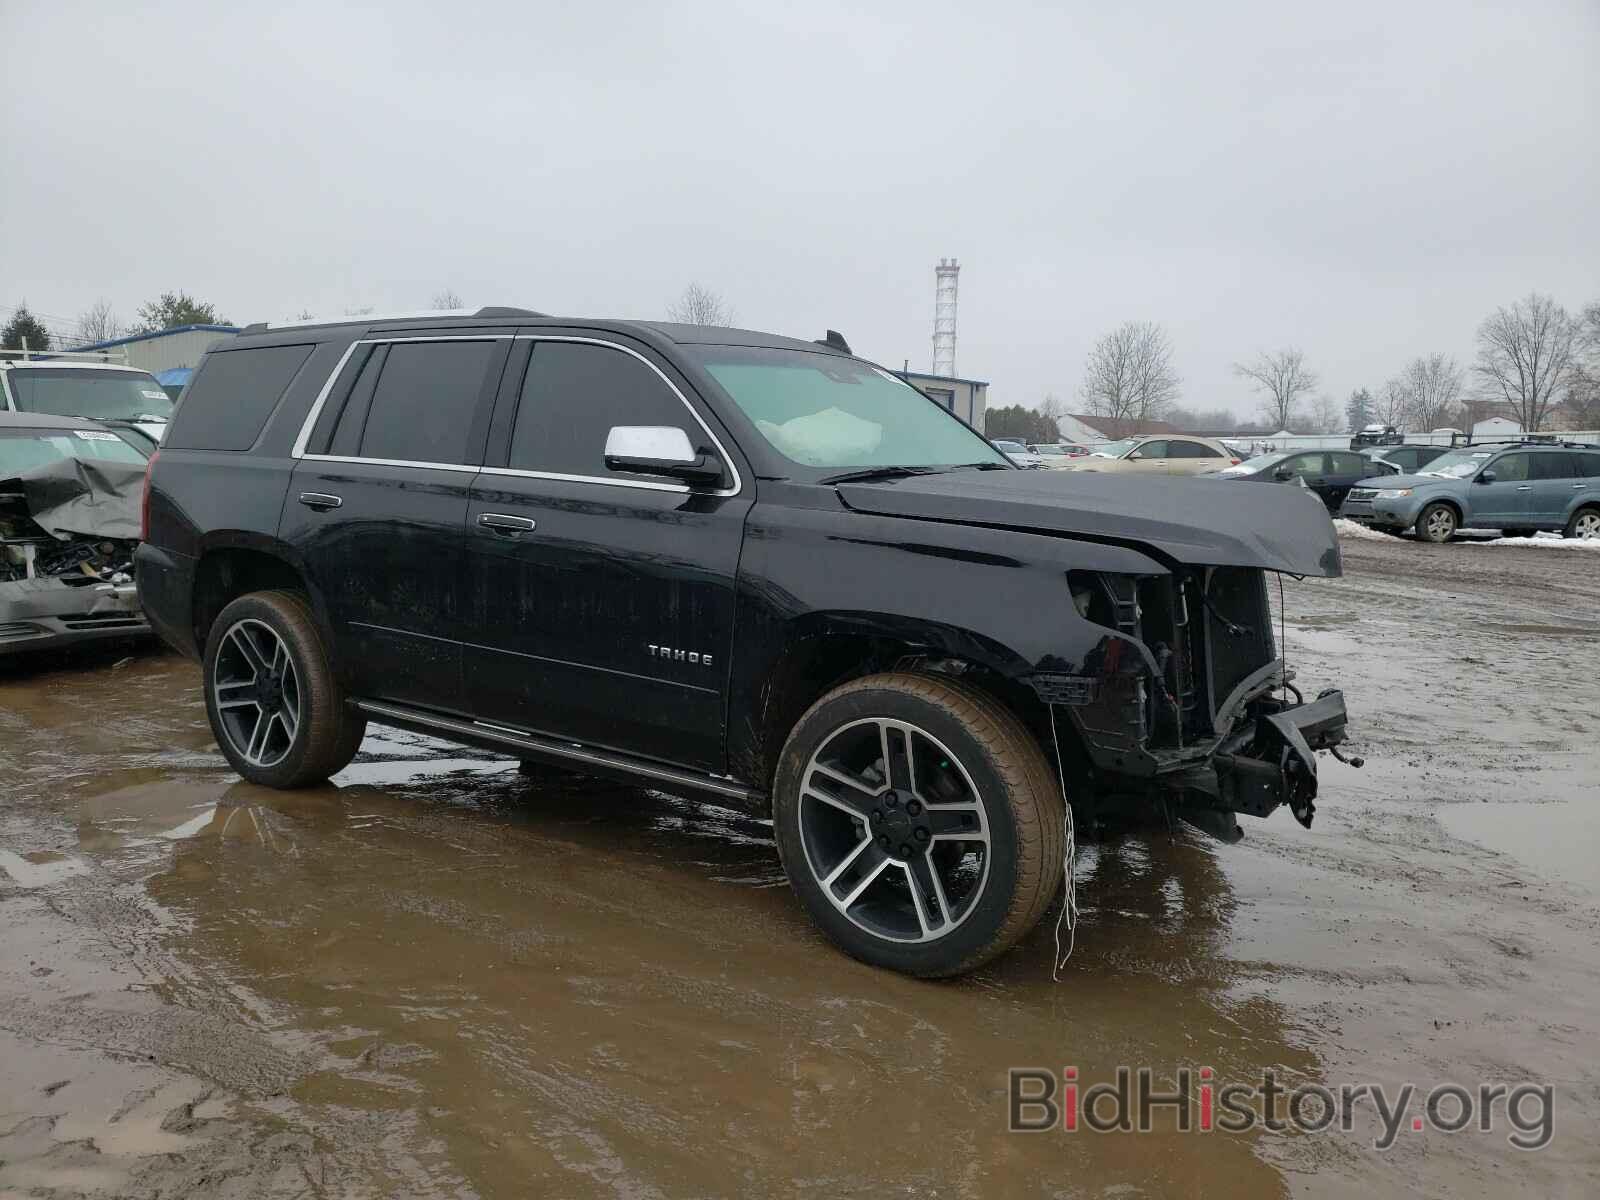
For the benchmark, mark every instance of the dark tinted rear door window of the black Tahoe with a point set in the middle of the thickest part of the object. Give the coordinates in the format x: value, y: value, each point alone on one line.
x: 425, y: 401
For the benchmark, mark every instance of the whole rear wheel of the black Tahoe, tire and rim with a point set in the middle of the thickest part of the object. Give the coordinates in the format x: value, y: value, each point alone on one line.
x: 327, y: 730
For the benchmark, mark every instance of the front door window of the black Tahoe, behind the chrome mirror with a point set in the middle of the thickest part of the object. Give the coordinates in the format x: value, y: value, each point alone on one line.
x: 572, y: 398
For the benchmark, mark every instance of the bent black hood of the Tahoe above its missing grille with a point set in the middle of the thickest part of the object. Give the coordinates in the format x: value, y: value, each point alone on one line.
x: 1194, y: 521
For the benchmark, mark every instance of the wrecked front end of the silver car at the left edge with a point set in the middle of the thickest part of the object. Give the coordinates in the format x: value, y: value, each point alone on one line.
x: 68, y: 532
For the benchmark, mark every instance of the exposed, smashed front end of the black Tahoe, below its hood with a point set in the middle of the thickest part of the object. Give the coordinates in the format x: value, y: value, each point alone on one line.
x: 1188, y: 698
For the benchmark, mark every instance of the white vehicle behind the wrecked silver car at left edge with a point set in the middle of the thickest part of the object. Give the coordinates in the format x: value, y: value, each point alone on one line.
x: 106, y: 393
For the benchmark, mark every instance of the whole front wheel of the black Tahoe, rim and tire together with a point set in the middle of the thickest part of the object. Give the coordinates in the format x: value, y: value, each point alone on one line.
x: 919, y: 823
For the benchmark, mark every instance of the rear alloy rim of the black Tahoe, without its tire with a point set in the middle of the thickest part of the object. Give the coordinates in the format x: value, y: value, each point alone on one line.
x: 257, y: 692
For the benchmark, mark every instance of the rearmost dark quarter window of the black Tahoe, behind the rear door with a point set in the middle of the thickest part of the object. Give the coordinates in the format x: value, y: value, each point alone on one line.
x: 233, y: 396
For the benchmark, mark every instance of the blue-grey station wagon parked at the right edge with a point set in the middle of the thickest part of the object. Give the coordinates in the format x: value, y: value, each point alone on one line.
x: 1514, y: 487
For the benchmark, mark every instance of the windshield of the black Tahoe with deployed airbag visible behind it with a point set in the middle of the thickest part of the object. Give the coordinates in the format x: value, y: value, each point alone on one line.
x: 820, y: 410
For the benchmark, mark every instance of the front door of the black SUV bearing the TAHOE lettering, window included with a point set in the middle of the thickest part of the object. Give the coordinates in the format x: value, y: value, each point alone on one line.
x: 610, y: 622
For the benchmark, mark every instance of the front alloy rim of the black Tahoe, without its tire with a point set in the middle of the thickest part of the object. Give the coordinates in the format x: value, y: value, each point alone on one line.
x: 894, y: 831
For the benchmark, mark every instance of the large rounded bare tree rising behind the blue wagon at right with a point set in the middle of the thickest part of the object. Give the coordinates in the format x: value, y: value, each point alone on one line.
x: 1527, y: 356
